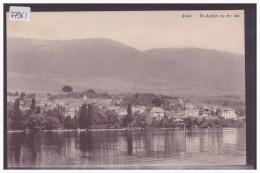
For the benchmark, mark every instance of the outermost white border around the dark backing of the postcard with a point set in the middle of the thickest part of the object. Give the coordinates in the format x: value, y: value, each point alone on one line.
x: 114, y: 1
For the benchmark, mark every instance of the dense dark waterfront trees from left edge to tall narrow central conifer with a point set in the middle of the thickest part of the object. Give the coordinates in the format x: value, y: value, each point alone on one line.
x: 87, y: 117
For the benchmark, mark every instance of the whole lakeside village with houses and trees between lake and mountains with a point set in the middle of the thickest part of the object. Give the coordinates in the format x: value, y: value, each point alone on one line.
x: 92, y: 110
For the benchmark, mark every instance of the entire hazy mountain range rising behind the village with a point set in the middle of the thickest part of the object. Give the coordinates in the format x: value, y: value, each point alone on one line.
x: 104, y: 58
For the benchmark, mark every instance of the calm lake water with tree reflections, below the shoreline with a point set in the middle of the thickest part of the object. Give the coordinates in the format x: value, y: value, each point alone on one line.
x: 152, y: 148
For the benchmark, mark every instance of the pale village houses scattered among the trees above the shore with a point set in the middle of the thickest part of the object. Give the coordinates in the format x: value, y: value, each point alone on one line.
x: 72, y: 106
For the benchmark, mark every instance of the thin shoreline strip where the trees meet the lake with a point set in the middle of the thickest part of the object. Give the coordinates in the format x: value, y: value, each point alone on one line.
x: 121, y: 129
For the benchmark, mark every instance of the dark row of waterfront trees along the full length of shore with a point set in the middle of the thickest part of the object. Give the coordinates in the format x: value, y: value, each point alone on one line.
x: 90, y: 116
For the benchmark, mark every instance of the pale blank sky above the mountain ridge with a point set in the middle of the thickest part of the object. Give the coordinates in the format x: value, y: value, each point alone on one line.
x: 141, y: 30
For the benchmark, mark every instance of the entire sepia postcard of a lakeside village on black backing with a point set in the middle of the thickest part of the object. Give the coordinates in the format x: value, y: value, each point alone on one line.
x: 160, y: 89
